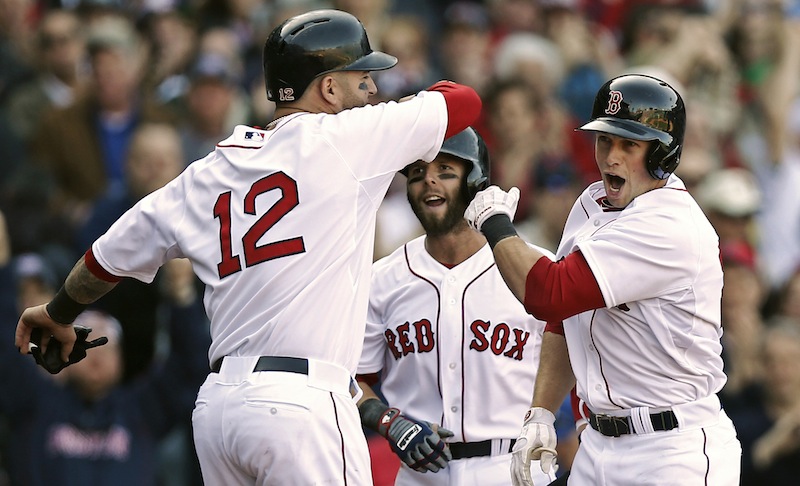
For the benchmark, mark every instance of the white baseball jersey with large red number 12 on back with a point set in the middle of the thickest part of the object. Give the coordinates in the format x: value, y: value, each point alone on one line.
x: 279, y: 225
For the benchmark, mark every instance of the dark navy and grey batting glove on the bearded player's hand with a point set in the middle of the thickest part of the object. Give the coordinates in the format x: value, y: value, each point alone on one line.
x: 415, y: 441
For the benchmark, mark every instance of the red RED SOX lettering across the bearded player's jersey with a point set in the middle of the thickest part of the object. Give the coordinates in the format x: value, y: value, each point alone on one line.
x: 418, y: 337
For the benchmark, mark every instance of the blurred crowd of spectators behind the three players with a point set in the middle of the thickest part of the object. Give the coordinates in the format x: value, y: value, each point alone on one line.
x: 104, y: 101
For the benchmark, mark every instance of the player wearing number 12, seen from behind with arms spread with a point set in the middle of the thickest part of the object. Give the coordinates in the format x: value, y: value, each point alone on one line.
x: 279, y: 225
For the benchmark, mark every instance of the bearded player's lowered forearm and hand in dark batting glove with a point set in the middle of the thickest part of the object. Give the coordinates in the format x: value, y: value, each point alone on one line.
x: 418, y: 443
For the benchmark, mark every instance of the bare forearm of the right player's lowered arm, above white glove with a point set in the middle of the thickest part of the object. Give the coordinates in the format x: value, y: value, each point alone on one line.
x: 555, y: 379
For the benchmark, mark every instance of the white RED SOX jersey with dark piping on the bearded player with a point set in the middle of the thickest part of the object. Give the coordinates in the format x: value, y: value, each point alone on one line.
x: 455, y: 346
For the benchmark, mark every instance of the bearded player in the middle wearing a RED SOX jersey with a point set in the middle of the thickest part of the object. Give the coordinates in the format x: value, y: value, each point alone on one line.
x: 455, y: 349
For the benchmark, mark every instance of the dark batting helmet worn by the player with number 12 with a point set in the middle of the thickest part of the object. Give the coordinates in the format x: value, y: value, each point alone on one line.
x: 315, y: 43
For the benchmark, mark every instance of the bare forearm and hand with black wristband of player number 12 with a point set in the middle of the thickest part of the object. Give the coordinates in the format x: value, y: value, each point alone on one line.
x: 55, y: 318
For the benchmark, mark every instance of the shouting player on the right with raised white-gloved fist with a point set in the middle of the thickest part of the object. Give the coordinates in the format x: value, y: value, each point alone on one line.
x: 633, y: 303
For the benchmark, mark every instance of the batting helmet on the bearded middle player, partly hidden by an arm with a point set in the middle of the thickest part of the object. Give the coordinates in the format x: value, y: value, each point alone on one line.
x: 468, y: 146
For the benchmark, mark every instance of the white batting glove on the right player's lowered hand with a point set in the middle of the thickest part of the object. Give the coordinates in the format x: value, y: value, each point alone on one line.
x: 537, y: 440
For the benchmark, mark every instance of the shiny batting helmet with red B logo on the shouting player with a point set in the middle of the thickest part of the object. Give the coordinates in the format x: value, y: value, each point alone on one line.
x: 641, y: 107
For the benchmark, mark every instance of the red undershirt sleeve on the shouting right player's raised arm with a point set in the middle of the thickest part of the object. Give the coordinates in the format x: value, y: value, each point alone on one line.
x: 557, y: 290
